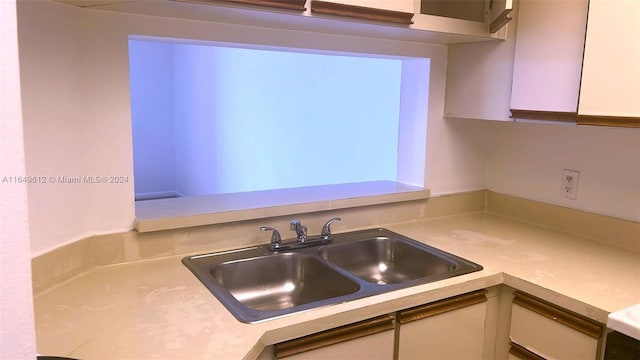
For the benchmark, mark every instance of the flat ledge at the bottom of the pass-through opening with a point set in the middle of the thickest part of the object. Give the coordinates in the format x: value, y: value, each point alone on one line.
x: 165, y: 214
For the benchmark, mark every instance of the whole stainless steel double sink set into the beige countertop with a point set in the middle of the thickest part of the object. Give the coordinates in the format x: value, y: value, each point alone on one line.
x: 256, y: 284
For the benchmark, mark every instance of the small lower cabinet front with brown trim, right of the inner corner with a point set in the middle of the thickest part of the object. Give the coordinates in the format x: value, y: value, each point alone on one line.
x: 541, y: 330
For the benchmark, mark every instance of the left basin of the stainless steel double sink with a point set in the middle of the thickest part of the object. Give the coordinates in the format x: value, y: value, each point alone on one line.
x: 255, y: 284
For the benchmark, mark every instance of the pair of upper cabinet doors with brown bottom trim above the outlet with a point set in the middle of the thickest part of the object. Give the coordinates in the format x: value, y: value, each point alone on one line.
x: 558, y: 75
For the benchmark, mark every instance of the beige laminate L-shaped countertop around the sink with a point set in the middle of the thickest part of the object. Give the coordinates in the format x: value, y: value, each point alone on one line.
x: 158, y: 309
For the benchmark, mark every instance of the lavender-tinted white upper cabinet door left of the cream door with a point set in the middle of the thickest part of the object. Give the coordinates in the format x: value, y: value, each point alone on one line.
x: 548, y: 55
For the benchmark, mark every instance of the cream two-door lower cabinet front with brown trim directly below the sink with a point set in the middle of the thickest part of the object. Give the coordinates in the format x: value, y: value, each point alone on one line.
x: 452, y: 328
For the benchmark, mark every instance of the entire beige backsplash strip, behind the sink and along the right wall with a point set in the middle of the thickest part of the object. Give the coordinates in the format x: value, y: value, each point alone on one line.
x: 74, y: 259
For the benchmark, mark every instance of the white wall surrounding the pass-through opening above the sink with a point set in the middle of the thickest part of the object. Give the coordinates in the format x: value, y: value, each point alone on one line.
x: 77, y: 110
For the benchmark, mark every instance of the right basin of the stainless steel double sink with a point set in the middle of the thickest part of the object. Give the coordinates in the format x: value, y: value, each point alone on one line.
x: 383, y: 260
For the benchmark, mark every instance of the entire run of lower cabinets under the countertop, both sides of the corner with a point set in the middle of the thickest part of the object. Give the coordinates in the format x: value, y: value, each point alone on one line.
x: 497, y: 323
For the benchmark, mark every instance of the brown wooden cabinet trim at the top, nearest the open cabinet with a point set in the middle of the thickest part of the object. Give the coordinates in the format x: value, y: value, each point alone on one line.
x: 361, y: 12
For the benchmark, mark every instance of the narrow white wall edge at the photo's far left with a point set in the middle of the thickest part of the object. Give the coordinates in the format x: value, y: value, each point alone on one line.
x: 17, y: 335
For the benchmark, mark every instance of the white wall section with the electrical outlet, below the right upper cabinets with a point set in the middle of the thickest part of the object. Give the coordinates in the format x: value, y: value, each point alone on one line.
x: 526, y: 160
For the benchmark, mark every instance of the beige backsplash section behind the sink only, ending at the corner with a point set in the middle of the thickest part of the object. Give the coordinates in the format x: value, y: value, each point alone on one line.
x: 70, y: 260
